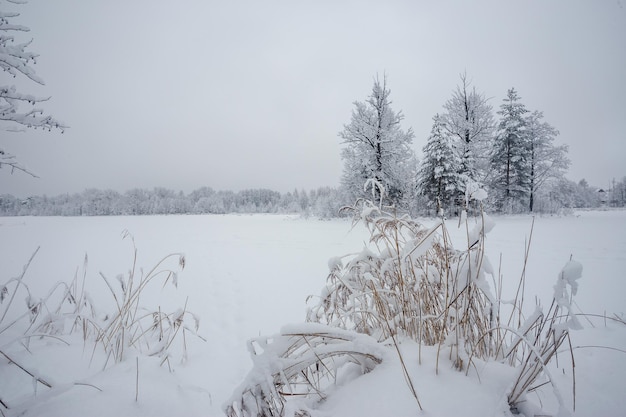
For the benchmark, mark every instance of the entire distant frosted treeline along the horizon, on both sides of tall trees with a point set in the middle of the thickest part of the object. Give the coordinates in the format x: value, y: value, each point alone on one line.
x: 324, y: 202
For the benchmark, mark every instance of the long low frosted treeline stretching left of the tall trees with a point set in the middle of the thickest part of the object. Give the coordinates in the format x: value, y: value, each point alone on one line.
x: 322, y: 202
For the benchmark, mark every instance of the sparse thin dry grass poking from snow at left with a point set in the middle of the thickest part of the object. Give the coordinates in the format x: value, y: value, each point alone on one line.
x: 67, y: 310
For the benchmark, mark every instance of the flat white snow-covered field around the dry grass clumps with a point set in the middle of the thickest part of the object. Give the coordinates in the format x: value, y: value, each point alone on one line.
x: 247, y: 276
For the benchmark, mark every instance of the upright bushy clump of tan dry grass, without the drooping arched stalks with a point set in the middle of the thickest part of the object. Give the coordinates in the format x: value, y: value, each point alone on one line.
x: 413, y: 285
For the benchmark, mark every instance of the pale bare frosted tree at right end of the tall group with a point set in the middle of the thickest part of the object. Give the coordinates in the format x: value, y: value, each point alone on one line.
x: 546, y: 160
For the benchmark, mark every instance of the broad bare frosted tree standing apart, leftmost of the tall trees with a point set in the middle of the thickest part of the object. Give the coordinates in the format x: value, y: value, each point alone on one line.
x: 377, y: 148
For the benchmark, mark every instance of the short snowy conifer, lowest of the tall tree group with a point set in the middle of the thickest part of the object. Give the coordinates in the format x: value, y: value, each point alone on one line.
x: 438, y: 178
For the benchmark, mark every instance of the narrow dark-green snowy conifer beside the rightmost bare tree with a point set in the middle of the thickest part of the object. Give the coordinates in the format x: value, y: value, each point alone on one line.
x: 509, y: 159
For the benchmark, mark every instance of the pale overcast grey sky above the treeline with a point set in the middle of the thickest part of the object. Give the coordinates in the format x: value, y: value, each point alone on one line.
x: 248, y: 94
